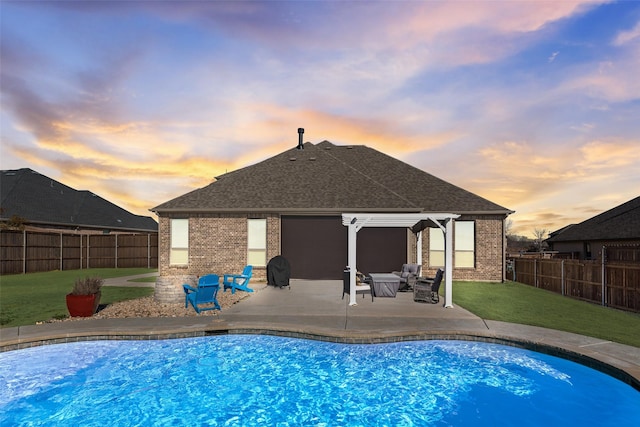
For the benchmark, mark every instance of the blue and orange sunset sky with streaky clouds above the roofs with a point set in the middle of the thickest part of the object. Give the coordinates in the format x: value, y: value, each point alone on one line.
x: 534, y: 105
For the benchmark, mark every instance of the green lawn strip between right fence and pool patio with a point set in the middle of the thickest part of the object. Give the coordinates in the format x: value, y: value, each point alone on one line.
x: 517, y: 303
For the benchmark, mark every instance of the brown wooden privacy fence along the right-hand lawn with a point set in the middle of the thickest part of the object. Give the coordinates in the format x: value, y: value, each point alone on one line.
x: 612, y: 284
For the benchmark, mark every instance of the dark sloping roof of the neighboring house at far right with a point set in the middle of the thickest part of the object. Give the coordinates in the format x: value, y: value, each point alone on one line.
x: 619, y: 223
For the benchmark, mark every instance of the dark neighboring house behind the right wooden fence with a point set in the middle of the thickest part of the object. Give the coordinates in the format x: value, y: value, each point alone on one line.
x: 616, y: 227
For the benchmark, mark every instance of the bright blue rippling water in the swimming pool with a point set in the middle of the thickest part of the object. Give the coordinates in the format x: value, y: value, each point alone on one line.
x: 247, y: 380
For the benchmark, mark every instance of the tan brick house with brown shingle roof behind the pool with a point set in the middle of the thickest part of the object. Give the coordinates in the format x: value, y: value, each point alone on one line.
x: 292, y: 204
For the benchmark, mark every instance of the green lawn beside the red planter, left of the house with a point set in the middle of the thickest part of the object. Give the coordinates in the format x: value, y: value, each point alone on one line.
x: 36, y: 297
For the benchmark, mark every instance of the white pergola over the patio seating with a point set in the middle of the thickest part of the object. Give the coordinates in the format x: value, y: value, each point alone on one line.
x: 417, y: 222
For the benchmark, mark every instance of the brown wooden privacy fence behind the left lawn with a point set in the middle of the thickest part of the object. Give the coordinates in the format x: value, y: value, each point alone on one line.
x: 29, y: 252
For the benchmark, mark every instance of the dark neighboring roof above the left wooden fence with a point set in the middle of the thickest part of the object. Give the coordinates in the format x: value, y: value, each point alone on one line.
x: 42, y: 200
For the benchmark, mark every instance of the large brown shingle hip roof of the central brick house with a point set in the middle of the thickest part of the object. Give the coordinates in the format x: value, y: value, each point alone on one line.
x: 332, y: 179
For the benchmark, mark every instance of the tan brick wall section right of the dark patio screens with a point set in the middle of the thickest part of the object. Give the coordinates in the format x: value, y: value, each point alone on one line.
x: 489, y: 245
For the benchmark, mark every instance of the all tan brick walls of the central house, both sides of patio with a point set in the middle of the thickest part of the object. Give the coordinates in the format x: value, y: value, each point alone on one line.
x: 218, y: 244
